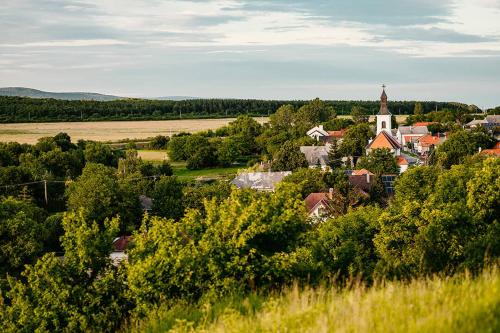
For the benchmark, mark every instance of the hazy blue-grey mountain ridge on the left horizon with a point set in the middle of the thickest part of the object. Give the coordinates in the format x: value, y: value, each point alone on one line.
x: 74, y: 96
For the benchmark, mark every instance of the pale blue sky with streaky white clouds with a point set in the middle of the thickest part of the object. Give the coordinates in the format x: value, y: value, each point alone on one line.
x: 444, y: 50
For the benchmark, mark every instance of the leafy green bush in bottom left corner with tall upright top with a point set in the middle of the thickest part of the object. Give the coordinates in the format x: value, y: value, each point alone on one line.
x: 81, y: 293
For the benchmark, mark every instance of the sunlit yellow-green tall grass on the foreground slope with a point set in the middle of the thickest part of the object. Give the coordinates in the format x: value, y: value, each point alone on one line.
x: 458, y: 304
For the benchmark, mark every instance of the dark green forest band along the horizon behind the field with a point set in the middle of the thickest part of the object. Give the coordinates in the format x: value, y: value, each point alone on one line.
x: 22, y: 109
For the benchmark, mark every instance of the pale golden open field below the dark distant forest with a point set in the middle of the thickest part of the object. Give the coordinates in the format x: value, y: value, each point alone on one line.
x: 108, y: 130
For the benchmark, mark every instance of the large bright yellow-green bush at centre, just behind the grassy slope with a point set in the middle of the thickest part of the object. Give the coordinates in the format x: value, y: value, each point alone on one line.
x: 246, y: 241
